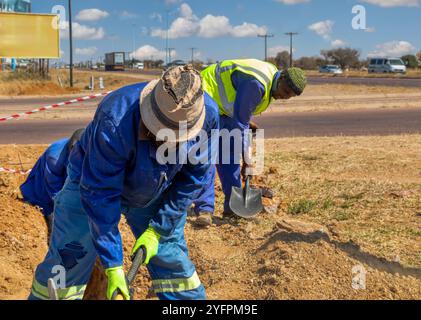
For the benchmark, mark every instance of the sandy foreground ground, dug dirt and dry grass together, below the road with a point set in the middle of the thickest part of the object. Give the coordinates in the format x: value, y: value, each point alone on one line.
x: 341, y: 203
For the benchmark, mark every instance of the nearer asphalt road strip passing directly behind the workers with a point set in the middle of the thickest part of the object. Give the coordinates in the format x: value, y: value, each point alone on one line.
x: 277, y: 124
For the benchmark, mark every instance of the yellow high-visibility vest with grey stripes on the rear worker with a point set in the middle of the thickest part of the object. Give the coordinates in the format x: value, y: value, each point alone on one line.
x: 217, y: 82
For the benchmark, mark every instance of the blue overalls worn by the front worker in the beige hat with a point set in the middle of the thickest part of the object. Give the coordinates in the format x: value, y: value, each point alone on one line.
x: 113, y: 170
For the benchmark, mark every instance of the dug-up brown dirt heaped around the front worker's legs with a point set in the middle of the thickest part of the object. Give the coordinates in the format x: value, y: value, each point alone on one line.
x: 273, y: 256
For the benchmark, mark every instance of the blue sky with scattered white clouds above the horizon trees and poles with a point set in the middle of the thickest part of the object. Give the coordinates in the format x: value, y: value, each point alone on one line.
x: 222, y: 29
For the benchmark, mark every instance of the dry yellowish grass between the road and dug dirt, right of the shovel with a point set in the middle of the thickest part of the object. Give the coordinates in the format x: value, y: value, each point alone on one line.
x: 363, y: 189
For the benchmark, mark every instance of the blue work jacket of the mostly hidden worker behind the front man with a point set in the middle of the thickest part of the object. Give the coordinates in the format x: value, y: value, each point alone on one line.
x: 47, y: 177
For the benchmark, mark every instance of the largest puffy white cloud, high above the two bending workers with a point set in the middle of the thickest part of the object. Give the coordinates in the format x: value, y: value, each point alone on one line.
x: 210, y: 26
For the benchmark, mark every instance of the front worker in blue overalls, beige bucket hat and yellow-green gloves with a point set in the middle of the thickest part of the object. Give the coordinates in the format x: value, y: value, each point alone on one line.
x: 118, y: 167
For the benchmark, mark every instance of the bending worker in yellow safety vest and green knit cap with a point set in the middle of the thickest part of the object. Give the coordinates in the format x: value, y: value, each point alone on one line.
x: 242, y: 89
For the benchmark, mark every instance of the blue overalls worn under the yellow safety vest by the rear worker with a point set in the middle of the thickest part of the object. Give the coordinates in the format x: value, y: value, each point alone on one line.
x: 250, y: 93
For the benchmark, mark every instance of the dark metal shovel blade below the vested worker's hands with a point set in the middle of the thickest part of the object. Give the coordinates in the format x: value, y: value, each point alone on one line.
x: 247, y: 202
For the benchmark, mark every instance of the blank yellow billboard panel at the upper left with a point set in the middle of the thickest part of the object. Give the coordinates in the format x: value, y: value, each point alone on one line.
x: 27, y: 35
